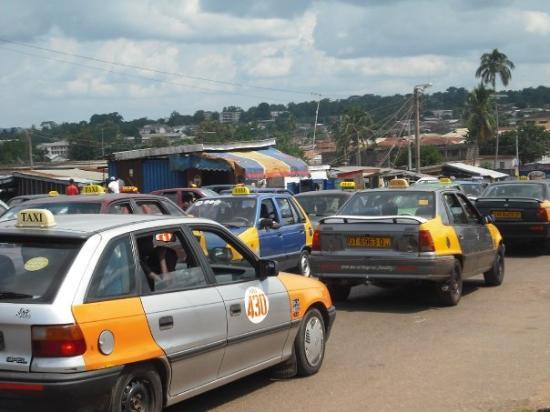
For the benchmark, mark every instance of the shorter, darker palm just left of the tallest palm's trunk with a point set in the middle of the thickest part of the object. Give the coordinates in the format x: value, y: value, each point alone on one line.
x: 479, y: 117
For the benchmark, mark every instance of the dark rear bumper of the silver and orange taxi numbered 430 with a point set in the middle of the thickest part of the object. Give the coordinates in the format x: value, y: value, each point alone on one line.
x: 68, y: 391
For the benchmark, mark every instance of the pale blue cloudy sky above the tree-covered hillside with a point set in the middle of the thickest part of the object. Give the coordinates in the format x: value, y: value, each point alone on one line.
x: 65, y: 60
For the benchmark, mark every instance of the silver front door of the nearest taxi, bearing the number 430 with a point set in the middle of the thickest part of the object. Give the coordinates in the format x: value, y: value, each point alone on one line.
x: 258, y: 310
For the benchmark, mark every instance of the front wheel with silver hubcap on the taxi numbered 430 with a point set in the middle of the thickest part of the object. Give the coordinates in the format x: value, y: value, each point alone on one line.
x: 312, y: 335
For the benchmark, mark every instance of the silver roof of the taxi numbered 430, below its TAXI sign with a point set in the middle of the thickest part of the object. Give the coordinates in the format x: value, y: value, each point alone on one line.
x: 83, y: 226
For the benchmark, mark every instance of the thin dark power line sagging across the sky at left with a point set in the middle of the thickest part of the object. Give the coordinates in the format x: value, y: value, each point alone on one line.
x: 148, y: 69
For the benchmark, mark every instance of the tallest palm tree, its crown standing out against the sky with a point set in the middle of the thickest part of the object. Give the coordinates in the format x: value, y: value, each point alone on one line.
x: 492, y: 65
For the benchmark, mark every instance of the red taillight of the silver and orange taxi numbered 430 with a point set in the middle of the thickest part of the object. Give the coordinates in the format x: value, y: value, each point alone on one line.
x: 57, y: 341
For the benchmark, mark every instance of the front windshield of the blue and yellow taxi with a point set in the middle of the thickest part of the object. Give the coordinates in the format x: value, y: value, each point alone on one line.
x: 229, y: 211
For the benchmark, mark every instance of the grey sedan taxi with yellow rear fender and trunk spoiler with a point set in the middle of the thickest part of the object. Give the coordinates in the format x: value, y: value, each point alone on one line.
x: 388, y: 236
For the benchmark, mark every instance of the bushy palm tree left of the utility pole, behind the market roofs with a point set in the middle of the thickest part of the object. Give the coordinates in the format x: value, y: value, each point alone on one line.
x: 355, y: 129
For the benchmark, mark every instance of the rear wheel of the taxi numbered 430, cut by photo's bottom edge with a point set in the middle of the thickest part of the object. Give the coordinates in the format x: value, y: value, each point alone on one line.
x: 141, y: 384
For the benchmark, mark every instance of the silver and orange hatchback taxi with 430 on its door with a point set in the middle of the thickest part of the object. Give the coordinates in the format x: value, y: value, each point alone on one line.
x: 135, y: 313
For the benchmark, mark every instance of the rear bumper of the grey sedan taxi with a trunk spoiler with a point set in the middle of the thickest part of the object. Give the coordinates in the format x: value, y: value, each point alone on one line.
x: 362, y: 269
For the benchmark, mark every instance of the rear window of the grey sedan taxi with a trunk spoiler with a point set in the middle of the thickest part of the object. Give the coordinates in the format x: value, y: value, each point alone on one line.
x: 391, y: 203
